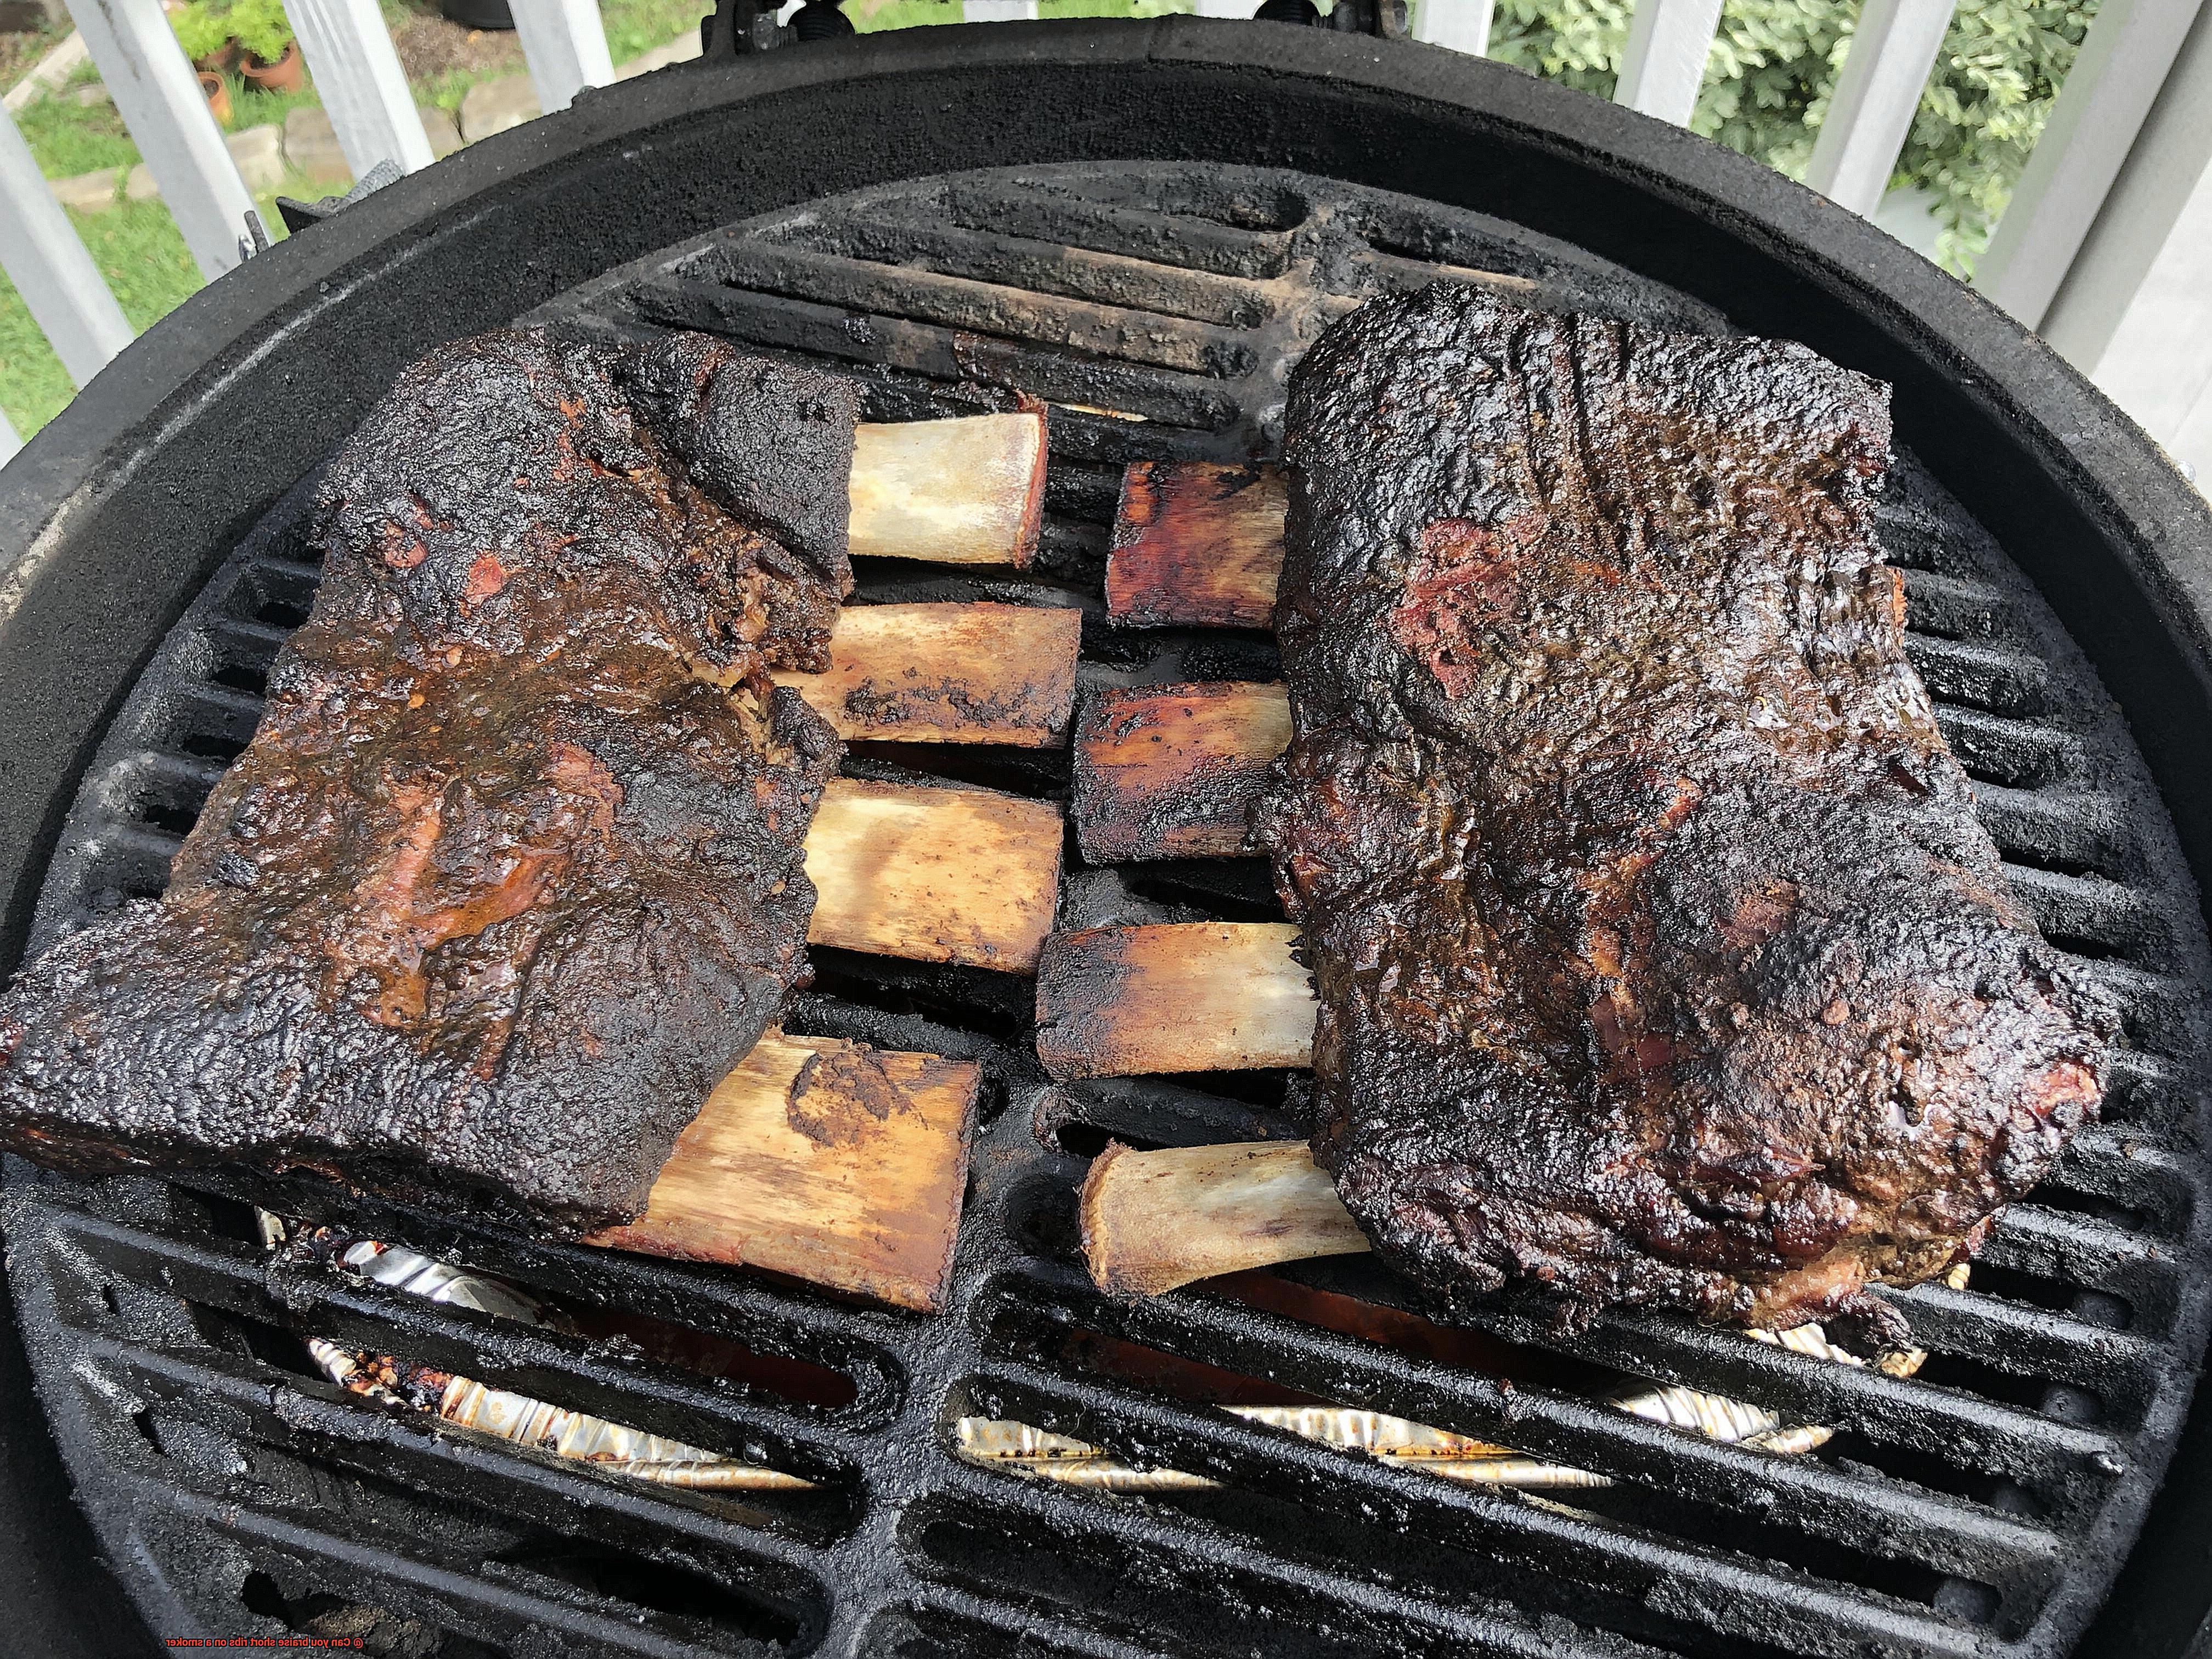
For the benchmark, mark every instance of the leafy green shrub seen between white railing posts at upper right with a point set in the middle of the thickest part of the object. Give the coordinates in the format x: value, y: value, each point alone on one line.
x: 1775, y: 67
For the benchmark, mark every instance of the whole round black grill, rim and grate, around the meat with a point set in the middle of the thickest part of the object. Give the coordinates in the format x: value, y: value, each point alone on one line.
x: 1224, y: 187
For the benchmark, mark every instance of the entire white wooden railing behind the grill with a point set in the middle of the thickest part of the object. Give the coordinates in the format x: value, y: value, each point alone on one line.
x: 2107, y: 244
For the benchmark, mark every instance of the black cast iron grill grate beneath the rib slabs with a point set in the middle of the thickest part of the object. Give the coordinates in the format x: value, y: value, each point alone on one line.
x: 1976, y: 1510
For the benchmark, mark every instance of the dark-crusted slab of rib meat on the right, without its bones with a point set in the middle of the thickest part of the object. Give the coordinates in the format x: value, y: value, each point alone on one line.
x: 1660, y: 952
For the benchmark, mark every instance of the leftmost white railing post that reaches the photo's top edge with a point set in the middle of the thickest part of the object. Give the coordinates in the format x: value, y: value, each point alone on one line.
x: 158, y: 96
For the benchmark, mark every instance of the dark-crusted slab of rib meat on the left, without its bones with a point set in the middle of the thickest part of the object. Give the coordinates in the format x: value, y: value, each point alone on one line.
x: 512, y: 873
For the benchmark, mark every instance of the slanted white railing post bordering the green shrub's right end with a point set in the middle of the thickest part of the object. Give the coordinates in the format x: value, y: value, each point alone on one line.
x: 2089, y: 136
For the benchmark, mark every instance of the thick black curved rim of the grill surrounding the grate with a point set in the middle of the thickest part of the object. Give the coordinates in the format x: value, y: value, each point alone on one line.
x: 2083, y: 499
